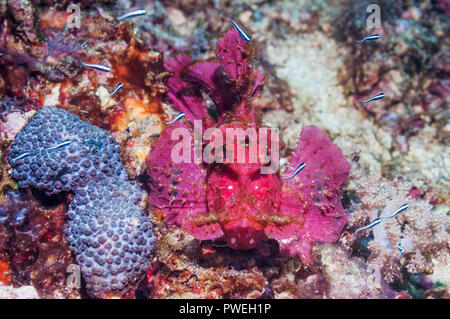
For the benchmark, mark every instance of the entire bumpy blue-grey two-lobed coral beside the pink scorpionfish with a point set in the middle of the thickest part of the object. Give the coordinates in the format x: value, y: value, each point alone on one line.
x: 57, y: 152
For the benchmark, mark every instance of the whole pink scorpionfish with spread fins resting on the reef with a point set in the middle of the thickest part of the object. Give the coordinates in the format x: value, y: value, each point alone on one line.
x: 231, y: 199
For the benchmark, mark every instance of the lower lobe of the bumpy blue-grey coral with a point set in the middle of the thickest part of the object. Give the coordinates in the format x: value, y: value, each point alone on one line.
x: 110, y: 236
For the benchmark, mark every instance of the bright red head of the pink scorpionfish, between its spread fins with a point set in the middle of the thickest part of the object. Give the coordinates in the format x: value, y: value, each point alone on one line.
x: 244, y: 189
